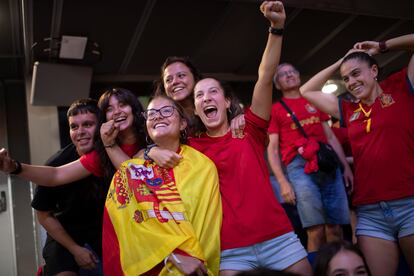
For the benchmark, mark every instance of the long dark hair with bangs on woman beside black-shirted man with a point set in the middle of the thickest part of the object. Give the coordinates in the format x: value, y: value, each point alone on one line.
x: 127, y: 97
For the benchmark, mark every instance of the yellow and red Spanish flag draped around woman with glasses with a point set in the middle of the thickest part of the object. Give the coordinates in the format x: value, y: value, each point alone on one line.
x: 151, y: 211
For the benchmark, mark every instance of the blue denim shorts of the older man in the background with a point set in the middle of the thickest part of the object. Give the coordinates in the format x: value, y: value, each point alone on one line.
x: 320, y: 197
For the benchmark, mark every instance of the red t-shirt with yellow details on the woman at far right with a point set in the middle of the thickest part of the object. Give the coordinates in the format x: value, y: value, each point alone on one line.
x: 383, y: 157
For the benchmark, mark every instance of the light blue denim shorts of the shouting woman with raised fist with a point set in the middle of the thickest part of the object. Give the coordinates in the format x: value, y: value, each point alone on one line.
x: 278, y: 253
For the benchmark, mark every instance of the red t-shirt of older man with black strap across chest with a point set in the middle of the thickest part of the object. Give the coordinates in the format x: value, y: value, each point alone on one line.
x: 282, y: 124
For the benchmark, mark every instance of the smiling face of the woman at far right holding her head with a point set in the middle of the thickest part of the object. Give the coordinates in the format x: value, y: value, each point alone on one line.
x: 359, y: 78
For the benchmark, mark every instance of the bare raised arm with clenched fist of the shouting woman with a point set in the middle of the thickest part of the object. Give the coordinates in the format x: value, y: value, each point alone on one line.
x: 262, y: 94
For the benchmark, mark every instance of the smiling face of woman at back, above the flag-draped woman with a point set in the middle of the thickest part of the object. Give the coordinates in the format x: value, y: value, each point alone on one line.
x: 178, y: 81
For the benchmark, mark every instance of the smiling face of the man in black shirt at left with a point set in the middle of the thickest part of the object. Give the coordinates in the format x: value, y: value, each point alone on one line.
x: 82, y: 129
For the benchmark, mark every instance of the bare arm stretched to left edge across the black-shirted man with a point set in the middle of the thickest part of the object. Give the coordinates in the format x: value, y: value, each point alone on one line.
x: 43, y: 175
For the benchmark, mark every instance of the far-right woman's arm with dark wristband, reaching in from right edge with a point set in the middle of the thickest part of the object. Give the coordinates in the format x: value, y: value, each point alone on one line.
x: 404, y: 42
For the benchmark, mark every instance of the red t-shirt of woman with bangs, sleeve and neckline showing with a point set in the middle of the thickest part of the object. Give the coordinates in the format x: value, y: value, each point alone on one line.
x: 92, y: 163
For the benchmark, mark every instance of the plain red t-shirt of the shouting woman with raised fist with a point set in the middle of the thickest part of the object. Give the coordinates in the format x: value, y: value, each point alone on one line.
x: 251, y: 213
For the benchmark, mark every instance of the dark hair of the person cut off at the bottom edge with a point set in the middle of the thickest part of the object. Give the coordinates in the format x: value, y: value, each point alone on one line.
x: 329, y: 250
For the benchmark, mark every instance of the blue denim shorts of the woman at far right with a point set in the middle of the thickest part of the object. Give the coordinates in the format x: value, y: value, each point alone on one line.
x: 388, y: 220
